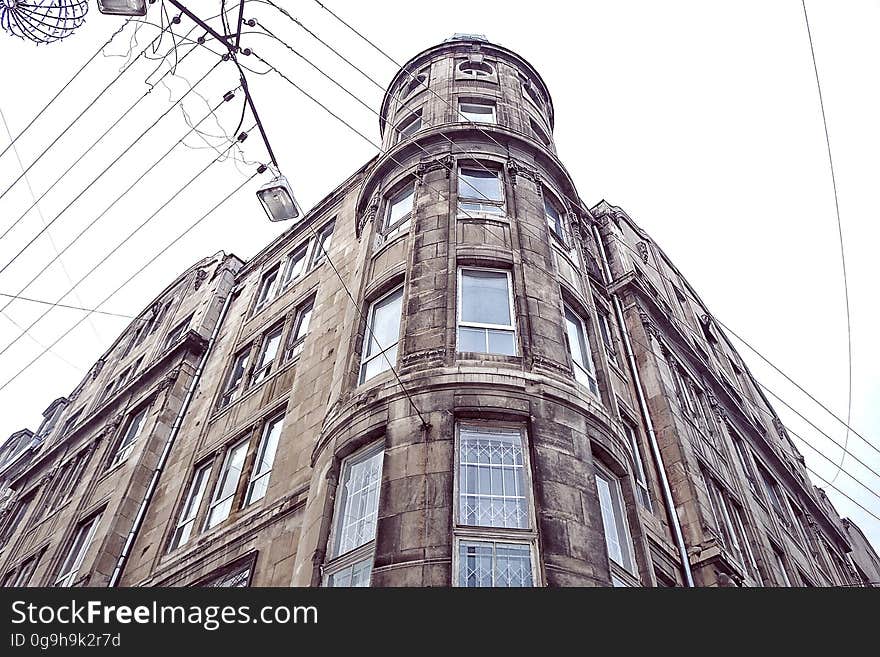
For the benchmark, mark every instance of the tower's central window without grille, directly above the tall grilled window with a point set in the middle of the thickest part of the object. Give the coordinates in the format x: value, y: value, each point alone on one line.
x: 485, y: 312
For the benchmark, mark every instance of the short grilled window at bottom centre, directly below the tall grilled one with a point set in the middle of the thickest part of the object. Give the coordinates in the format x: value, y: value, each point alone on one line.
x: 494, y: 564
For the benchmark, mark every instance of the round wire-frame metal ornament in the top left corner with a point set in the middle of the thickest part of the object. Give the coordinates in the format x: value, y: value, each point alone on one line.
x: 42, y: 21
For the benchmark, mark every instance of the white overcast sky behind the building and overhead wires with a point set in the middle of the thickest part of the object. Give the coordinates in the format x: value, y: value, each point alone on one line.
x: 701, y: 119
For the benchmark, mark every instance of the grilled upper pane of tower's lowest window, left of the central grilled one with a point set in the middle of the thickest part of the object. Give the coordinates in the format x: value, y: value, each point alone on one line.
x: 357, y: 496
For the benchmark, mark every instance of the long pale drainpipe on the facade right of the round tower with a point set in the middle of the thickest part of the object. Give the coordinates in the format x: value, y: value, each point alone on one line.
x: 649, y: 425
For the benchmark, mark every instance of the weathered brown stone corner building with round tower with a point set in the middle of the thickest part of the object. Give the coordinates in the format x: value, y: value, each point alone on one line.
x: 451, y: 371
